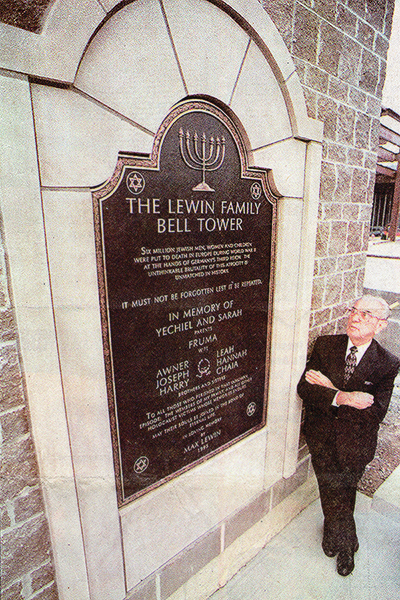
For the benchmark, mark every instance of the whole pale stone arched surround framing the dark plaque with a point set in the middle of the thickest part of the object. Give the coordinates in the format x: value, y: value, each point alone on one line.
x: 110, y: 100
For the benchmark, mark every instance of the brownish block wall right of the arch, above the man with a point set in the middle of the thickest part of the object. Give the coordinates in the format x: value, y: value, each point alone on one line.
x: 340, y: 49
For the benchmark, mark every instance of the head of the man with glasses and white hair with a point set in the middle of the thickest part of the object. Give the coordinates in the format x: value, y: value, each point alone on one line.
x: 365, y: 321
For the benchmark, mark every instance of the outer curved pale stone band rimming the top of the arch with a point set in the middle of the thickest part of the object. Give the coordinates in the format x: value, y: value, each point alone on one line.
x: 55, y: 53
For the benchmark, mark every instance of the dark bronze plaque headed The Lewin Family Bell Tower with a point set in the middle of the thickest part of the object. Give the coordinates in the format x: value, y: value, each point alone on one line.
x: 185, y: 248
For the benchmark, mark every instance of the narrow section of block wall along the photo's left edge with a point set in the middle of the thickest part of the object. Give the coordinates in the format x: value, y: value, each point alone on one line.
x: 26, y: 567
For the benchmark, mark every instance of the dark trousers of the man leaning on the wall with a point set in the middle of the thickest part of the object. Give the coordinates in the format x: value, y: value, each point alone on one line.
x: 337, y: 487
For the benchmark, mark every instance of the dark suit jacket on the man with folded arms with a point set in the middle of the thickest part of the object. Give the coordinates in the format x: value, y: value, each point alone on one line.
x: 352, y: 432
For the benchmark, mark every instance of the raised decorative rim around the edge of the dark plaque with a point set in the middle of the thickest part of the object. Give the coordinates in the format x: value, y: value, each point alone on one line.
x: 150, y: 162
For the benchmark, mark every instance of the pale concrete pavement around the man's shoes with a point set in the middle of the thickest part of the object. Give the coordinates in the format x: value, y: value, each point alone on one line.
x: 293, y: 567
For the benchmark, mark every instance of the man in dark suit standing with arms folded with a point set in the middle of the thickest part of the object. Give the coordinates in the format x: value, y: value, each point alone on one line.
x: 346, y: 389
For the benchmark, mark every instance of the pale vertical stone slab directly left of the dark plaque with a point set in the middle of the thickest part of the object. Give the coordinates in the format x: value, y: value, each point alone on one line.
x: 77, y: 322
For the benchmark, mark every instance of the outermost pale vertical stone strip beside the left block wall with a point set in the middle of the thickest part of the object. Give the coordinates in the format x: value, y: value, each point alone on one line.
x: 26, y: 247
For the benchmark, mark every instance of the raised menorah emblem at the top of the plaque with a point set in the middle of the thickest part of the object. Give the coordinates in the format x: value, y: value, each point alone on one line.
x: 201, y: 159
